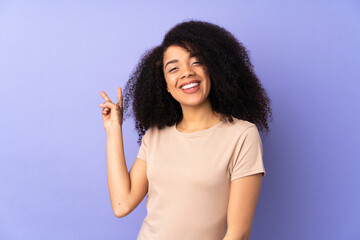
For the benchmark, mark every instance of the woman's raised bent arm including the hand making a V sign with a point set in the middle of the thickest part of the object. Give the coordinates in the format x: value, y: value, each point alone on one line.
x: 126, y: 190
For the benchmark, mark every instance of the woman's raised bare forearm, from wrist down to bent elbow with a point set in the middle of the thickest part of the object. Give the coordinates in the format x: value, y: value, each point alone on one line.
x: 117, y: 173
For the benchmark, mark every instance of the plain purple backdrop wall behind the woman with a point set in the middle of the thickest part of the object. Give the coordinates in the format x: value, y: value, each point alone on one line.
x: 56, y: 56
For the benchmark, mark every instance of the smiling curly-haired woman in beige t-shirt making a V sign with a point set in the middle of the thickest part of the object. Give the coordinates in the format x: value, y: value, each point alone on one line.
x: 197, y: 105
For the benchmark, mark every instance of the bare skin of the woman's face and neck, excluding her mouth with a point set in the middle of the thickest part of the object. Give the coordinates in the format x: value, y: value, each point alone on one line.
x: 196, y: 107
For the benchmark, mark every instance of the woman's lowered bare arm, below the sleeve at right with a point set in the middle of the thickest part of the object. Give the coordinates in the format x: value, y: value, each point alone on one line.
x: 244, y: 194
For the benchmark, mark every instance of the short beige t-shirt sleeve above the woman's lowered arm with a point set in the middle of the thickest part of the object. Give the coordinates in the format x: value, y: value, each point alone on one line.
x: 247, y: 158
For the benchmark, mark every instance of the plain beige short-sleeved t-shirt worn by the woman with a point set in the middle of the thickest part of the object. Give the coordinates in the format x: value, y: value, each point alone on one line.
x: 189, y: 178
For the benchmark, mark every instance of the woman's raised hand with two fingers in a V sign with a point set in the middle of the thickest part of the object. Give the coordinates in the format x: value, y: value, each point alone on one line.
x: 112, y: 113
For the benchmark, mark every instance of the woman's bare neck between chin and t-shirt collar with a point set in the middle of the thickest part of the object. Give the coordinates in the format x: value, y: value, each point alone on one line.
x: 198, y: 117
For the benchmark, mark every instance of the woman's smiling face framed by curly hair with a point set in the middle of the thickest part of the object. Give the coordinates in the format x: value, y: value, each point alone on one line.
x: 181, y: 68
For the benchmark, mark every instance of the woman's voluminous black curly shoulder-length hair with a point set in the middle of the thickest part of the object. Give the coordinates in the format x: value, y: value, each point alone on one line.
x: 235, y: 89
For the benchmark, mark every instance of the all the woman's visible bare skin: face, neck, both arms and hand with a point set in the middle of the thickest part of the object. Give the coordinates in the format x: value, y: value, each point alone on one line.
x: 128, y: 190
